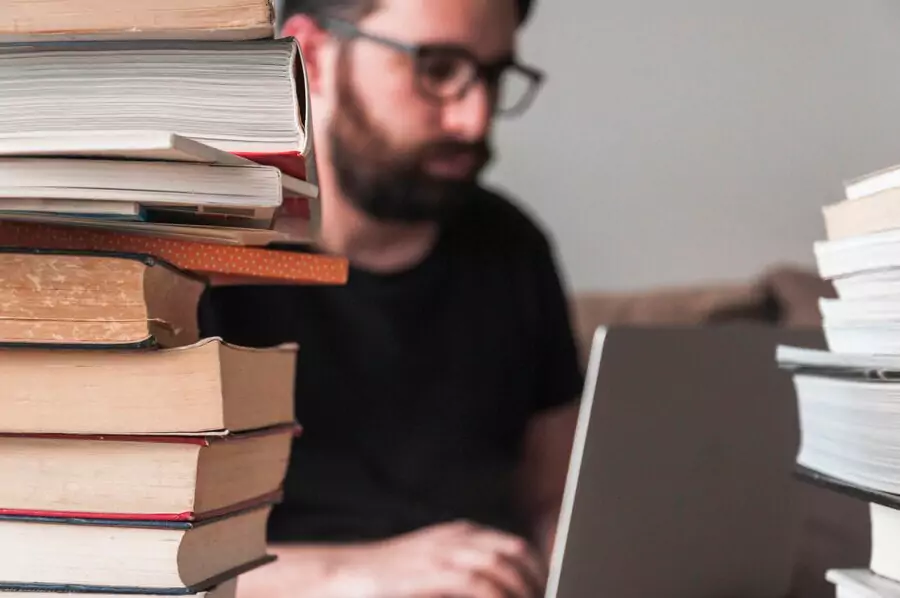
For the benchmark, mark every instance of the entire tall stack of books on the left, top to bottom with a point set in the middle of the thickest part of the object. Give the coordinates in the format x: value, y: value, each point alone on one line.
x: 147, y: 150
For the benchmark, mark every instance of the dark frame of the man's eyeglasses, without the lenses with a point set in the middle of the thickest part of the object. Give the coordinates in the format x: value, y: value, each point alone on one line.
x: 489, y: 73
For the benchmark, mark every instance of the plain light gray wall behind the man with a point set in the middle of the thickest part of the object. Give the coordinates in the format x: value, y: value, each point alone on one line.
x: 680, y: 141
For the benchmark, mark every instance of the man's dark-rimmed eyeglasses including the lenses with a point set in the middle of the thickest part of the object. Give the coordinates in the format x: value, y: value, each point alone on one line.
x: 446, y: 72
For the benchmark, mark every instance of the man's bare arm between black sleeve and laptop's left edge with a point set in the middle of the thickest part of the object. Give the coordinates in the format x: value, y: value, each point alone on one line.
x: 545, y: 466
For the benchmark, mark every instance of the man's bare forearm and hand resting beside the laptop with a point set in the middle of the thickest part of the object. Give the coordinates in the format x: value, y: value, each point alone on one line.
x: 457, y: 559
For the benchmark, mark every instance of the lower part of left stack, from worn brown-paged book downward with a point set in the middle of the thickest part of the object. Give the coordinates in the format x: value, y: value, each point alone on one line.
x: 135, y: 456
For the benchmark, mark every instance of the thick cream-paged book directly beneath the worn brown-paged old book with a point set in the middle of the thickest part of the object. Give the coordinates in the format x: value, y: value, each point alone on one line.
x: 209, y: 388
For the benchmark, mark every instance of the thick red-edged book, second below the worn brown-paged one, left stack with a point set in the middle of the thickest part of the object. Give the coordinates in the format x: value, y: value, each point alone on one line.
x: 181, y: 478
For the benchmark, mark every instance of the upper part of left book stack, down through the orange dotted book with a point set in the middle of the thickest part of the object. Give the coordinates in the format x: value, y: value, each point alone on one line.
x: 182, y: 120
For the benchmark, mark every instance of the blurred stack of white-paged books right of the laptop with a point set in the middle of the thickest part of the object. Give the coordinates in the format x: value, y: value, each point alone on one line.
x: 849, y: 394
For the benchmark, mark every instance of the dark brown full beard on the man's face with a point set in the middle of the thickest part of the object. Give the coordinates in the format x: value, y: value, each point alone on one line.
x: 390, y: 184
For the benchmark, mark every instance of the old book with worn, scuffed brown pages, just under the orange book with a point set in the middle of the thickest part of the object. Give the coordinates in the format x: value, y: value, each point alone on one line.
x: 124, y: 301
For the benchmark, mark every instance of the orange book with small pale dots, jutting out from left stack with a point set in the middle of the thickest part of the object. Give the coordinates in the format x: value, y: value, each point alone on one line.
x: 223, y: 263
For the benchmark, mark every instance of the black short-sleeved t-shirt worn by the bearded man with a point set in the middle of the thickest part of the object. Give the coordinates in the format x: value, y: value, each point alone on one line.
x: 414, y: 388
